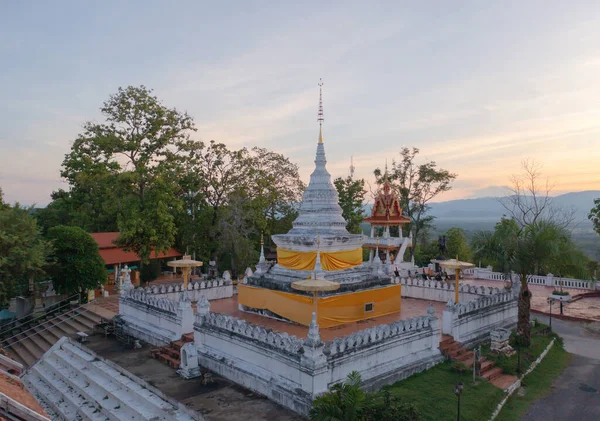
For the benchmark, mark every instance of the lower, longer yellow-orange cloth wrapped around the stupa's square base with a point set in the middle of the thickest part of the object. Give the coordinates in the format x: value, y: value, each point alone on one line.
x: 333, y: 310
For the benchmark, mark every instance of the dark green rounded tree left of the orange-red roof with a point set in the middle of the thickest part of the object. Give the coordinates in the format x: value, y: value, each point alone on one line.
x: 76, y: 264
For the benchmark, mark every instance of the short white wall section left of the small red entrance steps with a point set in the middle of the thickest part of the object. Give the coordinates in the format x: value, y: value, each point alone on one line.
x: 157, y: 321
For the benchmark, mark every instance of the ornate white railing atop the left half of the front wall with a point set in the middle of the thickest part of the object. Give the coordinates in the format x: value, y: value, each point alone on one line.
x: 275, y: 340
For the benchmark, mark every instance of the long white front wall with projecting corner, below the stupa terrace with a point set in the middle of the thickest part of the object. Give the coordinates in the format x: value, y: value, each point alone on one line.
x: 292, y: 372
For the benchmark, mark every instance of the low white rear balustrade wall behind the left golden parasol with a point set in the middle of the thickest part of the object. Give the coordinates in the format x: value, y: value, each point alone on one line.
x: 212, y: 289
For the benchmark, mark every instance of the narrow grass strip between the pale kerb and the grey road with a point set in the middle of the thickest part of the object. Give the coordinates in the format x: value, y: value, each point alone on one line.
x: 537, y: 384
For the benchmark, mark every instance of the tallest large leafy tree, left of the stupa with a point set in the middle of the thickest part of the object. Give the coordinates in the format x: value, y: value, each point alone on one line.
x: 126, y: 167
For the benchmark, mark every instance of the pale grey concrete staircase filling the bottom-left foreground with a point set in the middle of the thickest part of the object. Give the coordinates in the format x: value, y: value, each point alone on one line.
x: 76, y: 385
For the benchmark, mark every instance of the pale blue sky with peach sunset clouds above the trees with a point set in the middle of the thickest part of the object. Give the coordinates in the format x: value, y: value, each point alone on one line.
x: 477, y: 86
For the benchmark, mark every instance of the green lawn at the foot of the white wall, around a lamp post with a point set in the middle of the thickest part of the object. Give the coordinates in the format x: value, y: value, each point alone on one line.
x: 432, y: 392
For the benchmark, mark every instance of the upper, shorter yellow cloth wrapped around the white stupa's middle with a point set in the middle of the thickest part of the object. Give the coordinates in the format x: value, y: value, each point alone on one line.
x: 305, y: 260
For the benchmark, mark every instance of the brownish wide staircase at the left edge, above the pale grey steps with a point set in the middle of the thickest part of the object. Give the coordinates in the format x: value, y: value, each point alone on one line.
x: 28, y: 346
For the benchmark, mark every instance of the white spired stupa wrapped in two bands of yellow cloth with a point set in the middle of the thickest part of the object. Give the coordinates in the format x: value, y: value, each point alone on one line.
x: 319, y: 247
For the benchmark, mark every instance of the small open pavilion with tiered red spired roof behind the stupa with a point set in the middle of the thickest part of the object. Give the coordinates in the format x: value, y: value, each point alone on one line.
x: 387, y: 213
